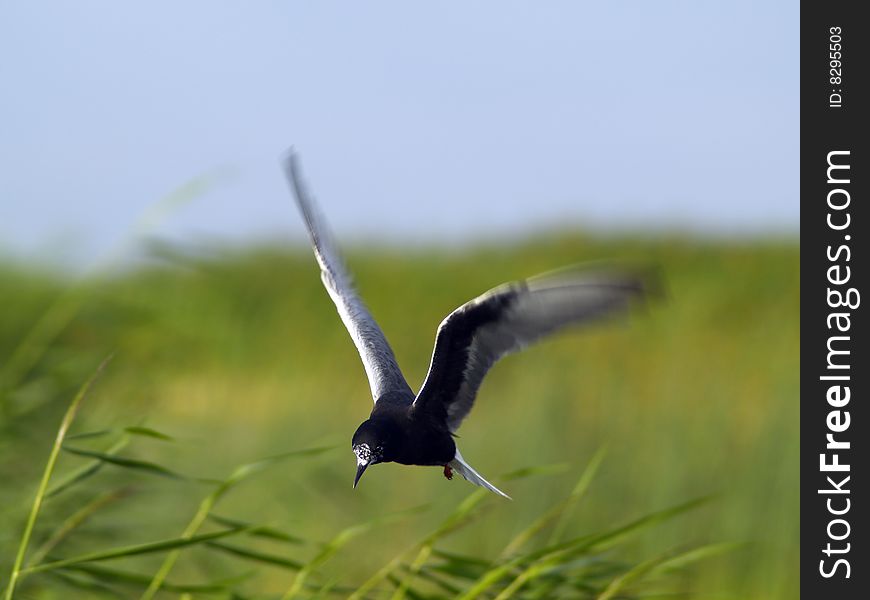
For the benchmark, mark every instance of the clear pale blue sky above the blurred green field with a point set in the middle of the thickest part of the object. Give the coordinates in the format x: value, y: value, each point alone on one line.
x: 435, y: 122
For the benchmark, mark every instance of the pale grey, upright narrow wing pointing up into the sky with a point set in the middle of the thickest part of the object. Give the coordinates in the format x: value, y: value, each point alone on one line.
x: 377, y: 356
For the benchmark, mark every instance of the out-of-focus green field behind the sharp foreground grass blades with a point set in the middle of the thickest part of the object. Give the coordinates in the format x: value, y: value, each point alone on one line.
x: 239, y: 354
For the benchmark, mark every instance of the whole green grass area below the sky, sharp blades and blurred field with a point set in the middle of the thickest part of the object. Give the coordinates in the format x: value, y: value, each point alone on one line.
x: 227, y: 357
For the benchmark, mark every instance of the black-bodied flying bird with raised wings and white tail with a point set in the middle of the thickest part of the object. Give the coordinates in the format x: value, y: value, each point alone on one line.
x: 420, y: 429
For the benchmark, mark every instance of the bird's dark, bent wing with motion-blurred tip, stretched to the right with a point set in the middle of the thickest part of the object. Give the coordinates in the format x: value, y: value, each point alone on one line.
x: 506, y: 319
